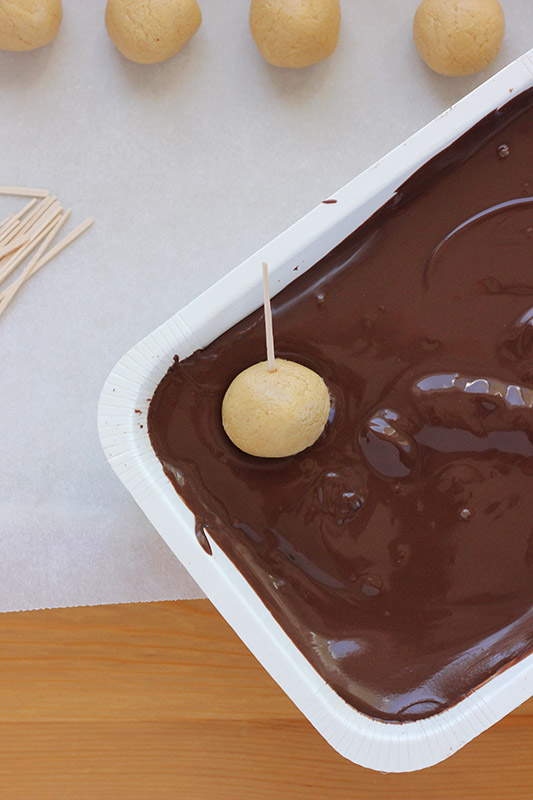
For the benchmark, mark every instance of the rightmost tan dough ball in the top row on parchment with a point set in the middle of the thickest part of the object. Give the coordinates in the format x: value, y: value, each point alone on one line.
x: 458, y: 37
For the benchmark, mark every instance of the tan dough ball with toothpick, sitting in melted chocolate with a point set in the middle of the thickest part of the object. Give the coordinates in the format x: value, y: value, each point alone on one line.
x: 275, y: 414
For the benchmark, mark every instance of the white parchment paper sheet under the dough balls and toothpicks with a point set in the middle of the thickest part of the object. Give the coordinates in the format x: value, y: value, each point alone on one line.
x: 187, y: 167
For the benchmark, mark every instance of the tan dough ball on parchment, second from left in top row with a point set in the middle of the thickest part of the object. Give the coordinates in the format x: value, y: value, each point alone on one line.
x: 148, y: 31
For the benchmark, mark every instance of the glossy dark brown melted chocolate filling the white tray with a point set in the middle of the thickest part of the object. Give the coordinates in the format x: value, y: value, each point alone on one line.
x: 397, y: 552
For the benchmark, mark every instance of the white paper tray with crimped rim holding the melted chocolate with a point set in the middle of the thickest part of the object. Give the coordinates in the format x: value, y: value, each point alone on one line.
x: 385, y: 746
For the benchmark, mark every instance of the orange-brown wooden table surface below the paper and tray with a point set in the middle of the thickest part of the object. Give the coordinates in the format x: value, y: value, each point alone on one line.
x: 162, y: 700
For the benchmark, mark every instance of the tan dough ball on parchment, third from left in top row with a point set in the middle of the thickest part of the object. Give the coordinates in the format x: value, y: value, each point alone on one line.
x: 295, y: 33
